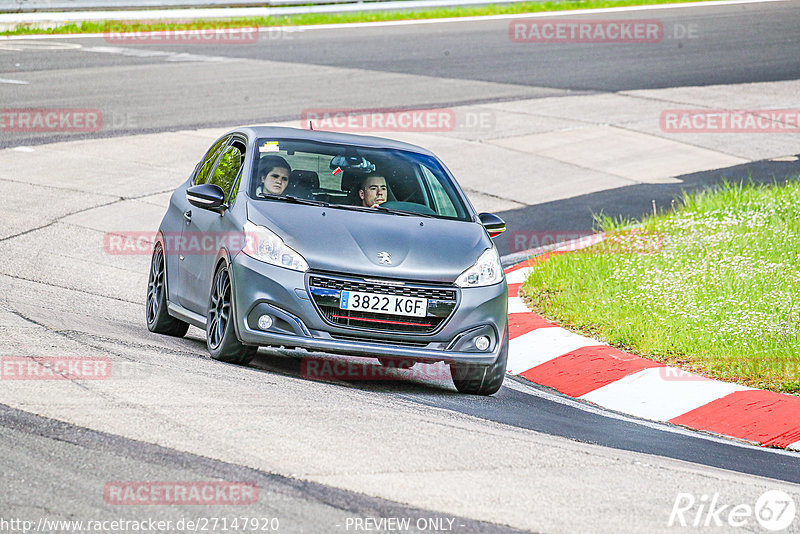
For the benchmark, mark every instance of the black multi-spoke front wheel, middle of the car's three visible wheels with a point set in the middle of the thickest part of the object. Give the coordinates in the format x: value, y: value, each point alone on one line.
x: 220, y: 331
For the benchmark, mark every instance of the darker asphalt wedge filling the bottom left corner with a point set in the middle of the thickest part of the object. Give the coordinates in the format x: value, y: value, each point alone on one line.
x: 87, y: 457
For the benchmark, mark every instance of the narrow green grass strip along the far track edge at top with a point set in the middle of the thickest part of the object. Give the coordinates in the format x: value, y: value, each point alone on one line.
x: 337, y: 18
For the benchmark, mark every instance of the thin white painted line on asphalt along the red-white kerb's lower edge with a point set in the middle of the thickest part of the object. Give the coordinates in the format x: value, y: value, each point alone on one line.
x: 526, y: 387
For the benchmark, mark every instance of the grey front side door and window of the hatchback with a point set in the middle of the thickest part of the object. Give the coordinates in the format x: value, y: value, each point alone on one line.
x: 204, y: 230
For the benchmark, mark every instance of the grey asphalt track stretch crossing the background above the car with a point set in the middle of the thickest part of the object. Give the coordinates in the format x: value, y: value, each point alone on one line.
x: 732, y: 44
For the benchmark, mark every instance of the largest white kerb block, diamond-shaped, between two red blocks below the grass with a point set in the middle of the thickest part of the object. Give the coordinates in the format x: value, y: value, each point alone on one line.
x: 660, y: 393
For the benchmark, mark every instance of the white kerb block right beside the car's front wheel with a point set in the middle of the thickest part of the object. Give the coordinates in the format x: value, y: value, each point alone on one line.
x: 542, y: 345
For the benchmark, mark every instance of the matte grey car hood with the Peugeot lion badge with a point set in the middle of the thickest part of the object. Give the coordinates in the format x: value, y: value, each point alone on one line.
x: 352, y: 242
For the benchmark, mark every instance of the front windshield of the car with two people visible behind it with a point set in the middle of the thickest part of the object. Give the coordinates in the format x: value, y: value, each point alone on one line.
x: 379, y: 180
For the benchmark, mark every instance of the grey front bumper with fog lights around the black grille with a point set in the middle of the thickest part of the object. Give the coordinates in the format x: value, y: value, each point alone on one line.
x: 260, y: 288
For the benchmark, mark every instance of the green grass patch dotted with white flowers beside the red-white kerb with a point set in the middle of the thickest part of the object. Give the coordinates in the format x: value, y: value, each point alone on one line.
x: 713, y: 287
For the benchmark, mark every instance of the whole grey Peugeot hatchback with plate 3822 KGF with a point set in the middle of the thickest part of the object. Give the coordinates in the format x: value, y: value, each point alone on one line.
x: 332, y: 242
